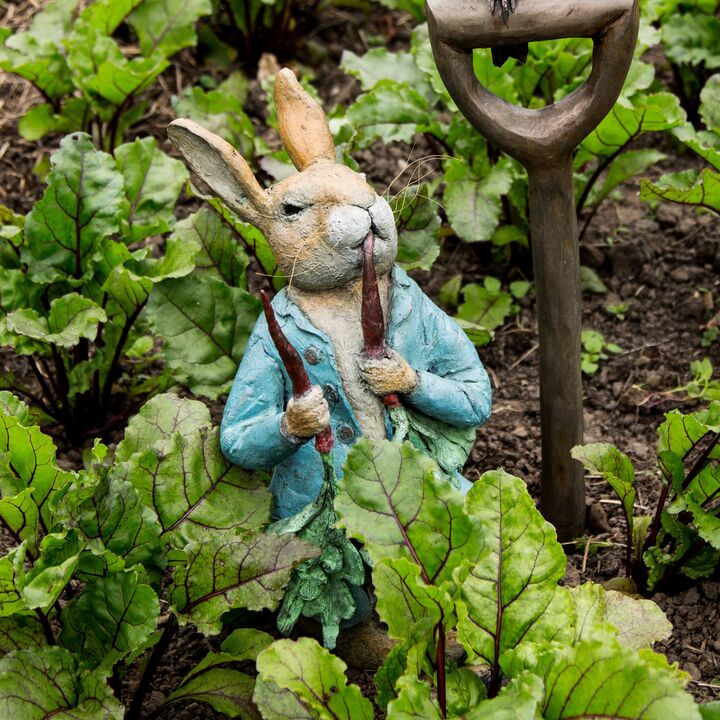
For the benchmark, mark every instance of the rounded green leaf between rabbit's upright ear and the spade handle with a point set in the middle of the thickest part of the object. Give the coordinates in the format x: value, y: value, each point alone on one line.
x: 391, y: 111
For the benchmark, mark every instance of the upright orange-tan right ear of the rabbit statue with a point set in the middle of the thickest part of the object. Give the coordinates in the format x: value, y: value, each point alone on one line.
x: 303, y: 125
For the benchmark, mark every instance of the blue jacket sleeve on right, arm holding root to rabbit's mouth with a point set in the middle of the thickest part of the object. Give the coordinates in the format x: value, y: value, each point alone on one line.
x: 454, y: 386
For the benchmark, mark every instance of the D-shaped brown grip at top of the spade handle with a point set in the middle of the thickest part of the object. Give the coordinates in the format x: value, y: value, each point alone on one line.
x: 535, y: 137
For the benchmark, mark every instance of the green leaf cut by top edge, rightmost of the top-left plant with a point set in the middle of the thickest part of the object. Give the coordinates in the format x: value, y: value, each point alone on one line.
x: 167, y: 25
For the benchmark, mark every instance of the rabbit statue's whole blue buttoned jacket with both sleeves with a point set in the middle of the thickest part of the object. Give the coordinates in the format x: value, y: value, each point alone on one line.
x: 454, y: 388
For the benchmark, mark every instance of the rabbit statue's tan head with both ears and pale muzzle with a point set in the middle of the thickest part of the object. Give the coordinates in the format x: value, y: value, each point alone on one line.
x: 314, y: 220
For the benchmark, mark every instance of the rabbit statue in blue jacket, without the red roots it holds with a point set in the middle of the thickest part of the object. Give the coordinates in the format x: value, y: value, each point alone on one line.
x: 316, y: 222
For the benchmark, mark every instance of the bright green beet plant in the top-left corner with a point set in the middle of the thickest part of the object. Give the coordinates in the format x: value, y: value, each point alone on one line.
x: 70, y: 54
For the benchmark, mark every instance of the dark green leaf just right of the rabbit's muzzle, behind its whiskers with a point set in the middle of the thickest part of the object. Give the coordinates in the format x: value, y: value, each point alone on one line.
x: 418, y: 224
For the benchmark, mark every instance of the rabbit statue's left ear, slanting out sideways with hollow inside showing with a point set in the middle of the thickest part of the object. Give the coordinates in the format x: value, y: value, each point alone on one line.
x: 221, y: 166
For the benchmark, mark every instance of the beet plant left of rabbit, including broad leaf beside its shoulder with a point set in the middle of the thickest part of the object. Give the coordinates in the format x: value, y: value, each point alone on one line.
x: 83, y: 285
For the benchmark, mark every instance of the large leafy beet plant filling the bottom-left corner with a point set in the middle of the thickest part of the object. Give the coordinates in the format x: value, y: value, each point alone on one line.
x: 82, y: 590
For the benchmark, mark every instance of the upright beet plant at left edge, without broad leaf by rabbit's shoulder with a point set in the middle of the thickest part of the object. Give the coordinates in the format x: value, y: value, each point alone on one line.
x: 75, y: 277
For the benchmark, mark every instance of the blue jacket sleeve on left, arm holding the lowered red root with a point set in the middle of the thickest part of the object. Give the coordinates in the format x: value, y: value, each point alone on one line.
x: 250, y: 435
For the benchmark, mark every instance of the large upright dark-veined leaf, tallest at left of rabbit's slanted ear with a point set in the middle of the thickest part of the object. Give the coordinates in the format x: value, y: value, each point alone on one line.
x: 82, y: 204
